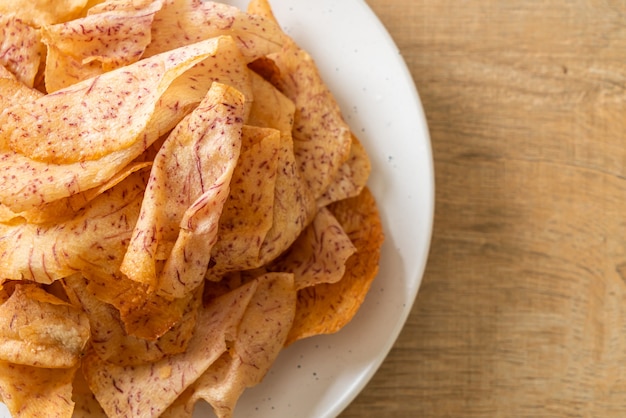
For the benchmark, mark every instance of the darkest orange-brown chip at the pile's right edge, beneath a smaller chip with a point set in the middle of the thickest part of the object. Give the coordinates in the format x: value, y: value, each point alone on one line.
x: 326, y: 308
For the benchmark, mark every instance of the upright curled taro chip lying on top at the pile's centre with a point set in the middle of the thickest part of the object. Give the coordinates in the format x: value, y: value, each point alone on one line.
x: 196, y: 163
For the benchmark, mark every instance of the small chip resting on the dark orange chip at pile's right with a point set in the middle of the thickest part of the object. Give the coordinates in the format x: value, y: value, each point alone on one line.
x: 319, y: 255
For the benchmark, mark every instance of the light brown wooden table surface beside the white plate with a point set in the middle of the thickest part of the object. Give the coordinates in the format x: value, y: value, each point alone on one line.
x: 522, y: 311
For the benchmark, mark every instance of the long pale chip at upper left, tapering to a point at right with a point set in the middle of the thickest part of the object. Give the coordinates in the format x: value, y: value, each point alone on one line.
x: 116, y: 117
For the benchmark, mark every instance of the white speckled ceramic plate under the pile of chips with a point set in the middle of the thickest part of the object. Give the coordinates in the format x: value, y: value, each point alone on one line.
x: 319, y: 377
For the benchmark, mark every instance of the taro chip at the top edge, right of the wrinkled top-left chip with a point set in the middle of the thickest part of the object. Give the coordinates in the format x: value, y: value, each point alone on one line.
x: 181, y: 22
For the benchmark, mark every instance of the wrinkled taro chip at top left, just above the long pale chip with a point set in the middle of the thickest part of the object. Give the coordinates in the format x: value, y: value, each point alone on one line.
x: 89, y: 46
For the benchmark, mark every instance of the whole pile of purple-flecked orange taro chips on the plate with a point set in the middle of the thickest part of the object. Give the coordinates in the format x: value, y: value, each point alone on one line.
x: 180, y: 198
